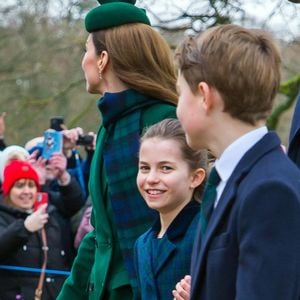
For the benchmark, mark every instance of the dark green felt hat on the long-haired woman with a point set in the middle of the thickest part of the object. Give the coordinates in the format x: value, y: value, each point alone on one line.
x: 113, y: 13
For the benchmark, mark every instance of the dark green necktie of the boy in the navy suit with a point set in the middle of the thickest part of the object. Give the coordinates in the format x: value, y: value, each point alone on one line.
x: 208, y: 199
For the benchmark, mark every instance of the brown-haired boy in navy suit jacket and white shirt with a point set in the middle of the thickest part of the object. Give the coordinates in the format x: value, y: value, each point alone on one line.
x: 250, y: 250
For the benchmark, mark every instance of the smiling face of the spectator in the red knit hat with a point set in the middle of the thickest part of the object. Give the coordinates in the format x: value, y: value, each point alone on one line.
x: 23, y: 194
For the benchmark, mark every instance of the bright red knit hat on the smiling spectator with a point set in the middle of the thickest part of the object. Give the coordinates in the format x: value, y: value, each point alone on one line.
x: 15, y: 170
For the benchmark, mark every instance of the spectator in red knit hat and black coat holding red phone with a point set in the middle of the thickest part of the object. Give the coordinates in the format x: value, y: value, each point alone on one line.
x: 22, y: 248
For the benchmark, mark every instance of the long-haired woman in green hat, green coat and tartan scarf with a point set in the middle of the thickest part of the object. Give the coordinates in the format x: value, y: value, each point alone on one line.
x: 130, y: 64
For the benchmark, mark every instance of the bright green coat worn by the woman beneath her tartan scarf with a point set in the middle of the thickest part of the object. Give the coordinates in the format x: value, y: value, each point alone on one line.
x: 99, y: 265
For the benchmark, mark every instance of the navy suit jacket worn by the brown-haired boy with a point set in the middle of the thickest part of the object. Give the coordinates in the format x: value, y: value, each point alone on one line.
x: 251, y: 250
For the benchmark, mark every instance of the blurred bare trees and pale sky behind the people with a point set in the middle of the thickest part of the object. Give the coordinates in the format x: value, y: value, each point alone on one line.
x: 42, y: 44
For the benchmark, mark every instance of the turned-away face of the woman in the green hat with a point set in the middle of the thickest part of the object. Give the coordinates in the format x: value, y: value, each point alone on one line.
x: 90, y: 67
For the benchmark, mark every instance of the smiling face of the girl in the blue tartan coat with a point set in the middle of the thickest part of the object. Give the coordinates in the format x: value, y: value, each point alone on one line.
x: 164, y: 179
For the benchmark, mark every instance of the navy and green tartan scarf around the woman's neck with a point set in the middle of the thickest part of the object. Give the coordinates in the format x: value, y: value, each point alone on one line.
x: 121, y: 118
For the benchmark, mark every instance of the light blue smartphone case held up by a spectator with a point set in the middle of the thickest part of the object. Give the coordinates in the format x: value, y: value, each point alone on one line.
x: 53, y: 142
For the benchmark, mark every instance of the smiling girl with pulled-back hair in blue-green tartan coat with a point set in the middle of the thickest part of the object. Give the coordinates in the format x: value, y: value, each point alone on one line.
x: 170, y: 178
